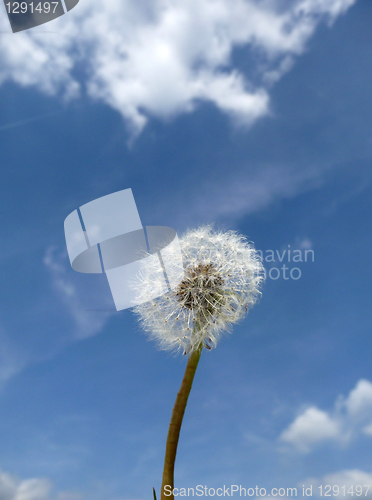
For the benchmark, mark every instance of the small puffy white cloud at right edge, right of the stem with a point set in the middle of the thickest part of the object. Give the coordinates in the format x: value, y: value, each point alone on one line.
x: 349, y: 418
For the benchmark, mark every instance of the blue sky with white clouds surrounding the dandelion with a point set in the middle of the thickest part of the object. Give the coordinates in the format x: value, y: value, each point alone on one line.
x: 254, y: 117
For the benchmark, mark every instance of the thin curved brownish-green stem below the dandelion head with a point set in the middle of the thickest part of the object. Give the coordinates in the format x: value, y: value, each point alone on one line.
x: 175, y: 424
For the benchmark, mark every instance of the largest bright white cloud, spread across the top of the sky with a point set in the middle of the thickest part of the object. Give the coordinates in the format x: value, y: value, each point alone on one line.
x: 159, y: 58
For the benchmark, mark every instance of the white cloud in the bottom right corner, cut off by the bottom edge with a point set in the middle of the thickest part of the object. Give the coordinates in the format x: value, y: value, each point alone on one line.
x: 346, y: 480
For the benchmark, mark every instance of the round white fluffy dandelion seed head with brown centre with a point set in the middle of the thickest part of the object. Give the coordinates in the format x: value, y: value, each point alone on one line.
x: 221, y: 279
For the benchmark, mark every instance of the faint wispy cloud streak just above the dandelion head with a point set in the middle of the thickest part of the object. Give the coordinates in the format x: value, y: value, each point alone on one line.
x: 232, y: 196
